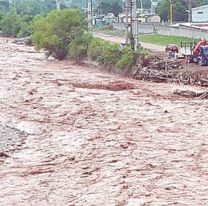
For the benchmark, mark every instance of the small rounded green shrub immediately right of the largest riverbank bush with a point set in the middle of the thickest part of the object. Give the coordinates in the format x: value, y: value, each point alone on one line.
x: 79, y: 46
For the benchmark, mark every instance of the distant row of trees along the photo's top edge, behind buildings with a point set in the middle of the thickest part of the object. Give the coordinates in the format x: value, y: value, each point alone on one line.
x: 34, y: 7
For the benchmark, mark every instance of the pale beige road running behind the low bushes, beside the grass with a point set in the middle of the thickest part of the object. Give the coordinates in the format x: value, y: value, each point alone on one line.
x: 119, y: 40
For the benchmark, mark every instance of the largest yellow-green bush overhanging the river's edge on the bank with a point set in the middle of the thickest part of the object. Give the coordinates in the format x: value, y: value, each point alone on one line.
x: 55, y: 31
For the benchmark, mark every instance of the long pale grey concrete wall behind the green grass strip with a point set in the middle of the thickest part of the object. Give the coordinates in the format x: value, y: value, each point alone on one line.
x: 183, y: 31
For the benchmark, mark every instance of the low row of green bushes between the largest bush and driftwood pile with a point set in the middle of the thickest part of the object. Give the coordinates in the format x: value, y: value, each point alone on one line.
x: 105, y: 53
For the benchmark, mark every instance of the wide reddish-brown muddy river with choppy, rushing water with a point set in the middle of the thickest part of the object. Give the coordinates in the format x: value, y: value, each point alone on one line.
x: 75, y: 136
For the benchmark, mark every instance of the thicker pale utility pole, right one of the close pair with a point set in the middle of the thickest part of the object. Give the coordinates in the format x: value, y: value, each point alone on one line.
x: 134, y: 23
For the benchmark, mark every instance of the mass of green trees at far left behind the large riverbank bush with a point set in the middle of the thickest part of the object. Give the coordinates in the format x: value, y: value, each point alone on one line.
x: 17, y: 16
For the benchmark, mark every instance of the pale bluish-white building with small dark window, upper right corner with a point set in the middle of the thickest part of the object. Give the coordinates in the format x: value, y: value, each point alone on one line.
x: 199, y: 14
